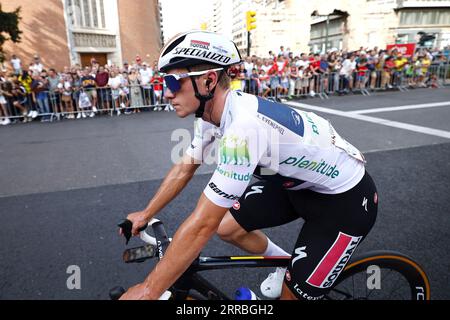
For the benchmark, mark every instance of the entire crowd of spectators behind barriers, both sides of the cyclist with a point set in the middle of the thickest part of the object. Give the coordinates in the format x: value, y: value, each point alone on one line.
x: 84, y: 91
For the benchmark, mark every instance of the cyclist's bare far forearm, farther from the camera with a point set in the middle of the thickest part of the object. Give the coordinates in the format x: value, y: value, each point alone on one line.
x: 174, y: 182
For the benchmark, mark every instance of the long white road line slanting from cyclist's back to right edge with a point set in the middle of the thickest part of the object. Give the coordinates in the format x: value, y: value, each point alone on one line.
x: 394, y: 124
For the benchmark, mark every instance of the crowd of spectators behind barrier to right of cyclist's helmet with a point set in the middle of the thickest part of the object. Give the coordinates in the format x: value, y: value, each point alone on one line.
x: 337, y: 71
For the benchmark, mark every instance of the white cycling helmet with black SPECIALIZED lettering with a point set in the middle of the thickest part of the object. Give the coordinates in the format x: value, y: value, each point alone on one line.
x: 196, y: 47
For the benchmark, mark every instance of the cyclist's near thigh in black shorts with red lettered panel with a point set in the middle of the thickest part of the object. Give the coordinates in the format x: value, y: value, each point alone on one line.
x: 334, y: 226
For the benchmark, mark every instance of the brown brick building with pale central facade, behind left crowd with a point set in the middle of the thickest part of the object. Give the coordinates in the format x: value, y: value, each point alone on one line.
x: 65, y: 32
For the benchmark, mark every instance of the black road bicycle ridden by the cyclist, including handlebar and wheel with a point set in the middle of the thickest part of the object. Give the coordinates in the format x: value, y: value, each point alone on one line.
x: 378, y: 275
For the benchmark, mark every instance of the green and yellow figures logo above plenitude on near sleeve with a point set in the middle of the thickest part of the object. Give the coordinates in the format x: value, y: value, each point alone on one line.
x: 234, y: 150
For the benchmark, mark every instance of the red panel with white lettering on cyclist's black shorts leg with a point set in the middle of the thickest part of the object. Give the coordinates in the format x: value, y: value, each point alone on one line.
x: 334, y: 261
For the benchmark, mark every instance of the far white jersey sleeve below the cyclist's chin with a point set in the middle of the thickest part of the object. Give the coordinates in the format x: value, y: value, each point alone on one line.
x: 203, y: 138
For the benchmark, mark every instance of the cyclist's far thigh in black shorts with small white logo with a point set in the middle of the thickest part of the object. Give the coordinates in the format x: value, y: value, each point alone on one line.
x: 263, y: 205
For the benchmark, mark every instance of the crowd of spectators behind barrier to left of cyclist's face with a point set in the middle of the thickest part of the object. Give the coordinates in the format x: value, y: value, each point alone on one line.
x: 77, y: 91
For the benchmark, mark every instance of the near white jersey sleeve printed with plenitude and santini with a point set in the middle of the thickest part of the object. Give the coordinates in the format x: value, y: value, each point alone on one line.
x: 238, y: 155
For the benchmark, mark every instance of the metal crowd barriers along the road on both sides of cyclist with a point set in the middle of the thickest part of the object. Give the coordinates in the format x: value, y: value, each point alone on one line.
x: 52, y: 106
